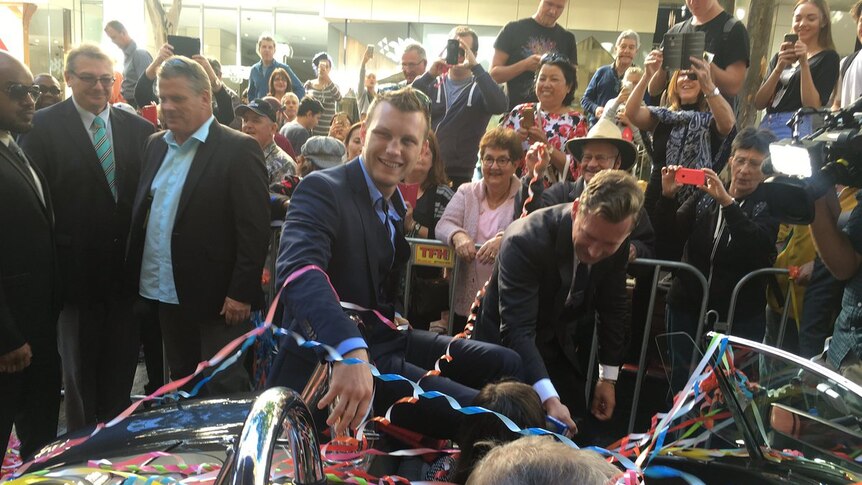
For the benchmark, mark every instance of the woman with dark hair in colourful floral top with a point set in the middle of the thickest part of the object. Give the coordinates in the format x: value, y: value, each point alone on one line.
x: 555, y: 121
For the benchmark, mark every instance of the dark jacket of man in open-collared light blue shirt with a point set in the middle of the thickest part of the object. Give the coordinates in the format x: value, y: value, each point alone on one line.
x: 221, y: 231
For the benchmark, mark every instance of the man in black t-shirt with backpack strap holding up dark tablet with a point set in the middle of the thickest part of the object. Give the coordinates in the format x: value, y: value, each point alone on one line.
x: 726, y: 38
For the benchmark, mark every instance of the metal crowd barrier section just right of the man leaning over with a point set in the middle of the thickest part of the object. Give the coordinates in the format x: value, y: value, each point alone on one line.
x: 658, y: 265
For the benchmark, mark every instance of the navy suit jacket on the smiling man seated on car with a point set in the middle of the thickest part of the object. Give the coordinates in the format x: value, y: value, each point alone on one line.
x: 331, y: 224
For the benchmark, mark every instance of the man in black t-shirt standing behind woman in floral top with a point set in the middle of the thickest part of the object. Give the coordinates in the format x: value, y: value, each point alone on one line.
x: 521, y: 44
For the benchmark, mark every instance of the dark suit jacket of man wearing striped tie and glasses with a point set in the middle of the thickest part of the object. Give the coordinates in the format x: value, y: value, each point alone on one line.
x: 91, y: 228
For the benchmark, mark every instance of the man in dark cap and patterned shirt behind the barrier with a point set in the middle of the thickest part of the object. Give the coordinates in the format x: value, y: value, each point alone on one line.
x: 259, y: 122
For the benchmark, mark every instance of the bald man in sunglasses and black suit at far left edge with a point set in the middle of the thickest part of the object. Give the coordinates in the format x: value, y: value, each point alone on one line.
x: 29, y: 293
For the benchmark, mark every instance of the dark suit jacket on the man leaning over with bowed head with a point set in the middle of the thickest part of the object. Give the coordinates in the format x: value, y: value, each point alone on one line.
x: 525, y: 303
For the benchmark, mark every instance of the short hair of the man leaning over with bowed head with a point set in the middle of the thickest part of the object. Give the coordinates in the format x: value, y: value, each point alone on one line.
x: 612, y: 194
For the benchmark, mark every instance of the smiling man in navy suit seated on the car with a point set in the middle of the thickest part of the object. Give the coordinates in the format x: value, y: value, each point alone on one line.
x: 348, y: 222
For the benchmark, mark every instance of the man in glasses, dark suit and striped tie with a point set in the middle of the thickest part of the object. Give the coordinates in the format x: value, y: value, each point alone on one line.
x: 90, y: 154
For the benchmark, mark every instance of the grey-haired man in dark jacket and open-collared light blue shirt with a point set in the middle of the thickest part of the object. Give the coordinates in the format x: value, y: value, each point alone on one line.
x: 200, y: 226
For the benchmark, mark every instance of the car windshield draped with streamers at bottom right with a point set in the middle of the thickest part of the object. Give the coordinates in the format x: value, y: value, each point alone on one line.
x: 779, y: 407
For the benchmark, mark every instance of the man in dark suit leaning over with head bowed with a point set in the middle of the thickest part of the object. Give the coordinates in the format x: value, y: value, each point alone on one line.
x: 555, y: 266
